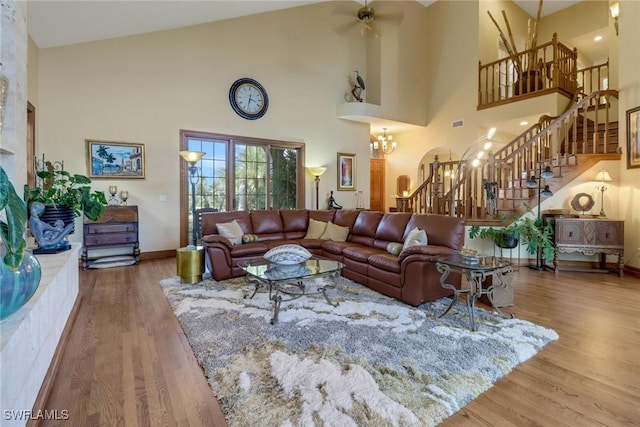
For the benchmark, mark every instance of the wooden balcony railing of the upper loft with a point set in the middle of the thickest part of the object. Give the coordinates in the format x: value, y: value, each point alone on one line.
x: 548, y: 68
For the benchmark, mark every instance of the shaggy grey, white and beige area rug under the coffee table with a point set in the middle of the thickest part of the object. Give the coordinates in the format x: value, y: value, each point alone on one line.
x: 370, y: 361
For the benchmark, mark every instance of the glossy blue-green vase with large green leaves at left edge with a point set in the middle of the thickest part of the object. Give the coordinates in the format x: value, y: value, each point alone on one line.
x: 19, y: 271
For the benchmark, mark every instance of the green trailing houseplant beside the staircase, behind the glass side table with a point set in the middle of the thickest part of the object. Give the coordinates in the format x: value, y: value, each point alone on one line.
x: 535, y: 234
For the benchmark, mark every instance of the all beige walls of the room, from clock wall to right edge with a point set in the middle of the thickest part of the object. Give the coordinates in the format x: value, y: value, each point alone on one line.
x: 146, y: 88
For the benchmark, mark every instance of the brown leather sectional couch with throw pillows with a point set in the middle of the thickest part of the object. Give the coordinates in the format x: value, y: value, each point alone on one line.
x: 410, y: 277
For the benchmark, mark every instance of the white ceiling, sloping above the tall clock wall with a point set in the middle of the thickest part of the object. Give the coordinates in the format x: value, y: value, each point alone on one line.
x: 54, y: 23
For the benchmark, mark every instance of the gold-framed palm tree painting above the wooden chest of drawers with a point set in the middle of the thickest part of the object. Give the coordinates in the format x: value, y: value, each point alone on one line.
x: 106, y: 159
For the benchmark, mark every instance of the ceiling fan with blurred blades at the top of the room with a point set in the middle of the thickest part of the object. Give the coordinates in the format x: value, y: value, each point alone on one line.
x: 367, y: 18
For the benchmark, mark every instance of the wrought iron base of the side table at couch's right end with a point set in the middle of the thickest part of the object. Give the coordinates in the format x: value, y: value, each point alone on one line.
x: 475, y: 278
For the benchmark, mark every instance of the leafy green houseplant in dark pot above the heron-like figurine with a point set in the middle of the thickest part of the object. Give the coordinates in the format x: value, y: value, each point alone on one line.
x: 61, y: 188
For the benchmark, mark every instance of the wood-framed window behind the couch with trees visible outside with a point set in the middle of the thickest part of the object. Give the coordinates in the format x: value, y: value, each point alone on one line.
x: 240, y: 173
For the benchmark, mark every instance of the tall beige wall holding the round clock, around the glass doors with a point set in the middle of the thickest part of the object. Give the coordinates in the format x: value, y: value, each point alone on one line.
x: 146, y: 88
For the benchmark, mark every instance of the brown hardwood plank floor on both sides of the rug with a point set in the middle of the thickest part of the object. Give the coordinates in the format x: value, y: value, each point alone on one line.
x: 127, y: 362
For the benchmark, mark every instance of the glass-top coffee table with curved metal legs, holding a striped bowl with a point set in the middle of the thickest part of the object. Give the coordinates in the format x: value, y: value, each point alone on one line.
x: 288, y: 280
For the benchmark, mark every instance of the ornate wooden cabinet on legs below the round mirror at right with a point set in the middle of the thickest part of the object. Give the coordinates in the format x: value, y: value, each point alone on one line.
x: 589, y: 236
